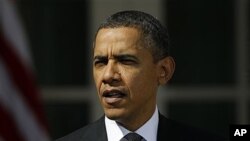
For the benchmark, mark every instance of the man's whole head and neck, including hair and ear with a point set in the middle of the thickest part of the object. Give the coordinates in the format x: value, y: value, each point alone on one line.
x: 131, y: 60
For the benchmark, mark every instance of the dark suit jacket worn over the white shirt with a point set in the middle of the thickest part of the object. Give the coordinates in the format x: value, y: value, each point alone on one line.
x: 168, y: 130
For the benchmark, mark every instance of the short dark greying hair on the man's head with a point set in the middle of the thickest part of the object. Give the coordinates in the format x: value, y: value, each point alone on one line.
x: 155, y: 36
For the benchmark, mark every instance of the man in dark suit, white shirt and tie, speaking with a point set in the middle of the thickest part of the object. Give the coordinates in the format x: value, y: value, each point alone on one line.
x: 131, y: 60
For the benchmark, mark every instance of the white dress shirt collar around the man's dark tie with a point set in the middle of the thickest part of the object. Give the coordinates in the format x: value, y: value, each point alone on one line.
x: 148, y: 131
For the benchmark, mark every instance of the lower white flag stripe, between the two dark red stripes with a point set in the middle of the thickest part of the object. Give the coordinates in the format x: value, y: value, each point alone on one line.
x: 14, y: 103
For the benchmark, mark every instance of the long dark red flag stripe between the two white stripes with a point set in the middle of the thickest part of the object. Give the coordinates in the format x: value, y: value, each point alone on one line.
x: 22, y: 78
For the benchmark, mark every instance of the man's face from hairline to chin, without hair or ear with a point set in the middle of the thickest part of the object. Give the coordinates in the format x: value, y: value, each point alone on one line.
x: 125, y: 74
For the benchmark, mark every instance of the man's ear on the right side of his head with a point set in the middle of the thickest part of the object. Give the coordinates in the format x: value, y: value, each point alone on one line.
x: 166, y: 69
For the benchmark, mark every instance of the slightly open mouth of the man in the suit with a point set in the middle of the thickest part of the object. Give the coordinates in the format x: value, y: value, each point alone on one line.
x: 113, y: 96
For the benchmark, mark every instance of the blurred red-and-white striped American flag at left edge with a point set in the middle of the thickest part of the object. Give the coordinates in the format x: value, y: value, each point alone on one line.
x: 21, y: 114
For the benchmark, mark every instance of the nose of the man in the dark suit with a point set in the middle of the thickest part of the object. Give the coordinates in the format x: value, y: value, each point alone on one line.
x: 111, y: 74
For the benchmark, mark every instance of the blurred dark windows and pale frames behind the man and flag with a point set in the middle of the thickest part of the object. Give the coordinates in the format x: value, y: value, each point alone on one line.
x: 210, y: 44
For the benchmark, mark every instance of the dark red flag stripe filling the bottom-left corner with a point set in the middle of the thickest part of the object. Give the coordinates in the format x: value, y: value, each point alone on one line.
x: 8, y: 129
